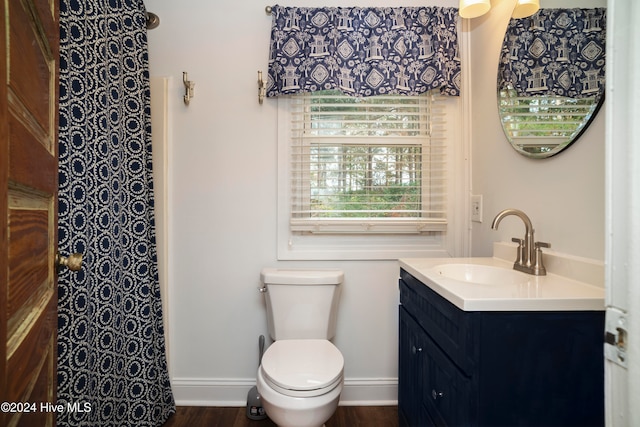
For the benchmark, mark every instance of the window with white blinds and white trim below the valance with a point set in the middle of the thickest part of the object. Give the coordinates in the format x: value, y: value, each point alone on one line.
x: 361, y: 174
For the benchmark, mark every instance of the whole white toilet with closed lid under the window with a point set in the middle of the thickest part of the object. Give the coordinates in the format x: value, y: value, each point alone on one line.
x: 301, y: 375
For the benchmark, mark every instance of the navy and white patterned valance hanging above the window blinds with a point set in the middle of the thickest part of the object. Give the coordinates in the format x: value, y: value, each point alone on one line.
x: 364, y: 51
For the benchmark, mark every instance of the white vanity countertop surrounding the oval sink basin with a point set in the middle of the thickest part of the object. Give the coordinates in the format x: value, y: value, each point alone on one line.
x: 534, y: 293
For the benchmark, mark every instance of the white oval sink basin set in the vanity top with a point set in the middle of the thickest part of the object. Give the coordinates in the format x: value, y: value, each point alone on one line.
x: 482, y: 274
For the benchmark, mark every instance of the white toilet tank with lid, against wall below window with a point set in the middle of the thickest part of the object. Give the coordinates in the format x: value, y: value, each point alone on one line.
x: 301, y: 304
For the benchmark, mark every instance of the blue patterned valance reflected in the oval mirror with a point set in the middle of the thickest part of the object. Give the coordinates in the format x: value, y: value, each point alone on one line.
x: 555, y: 52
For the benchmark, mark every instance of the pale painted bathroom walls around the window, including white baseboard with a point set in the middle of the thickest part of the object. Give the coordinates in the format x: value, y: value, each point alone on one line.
x: 221, y: 200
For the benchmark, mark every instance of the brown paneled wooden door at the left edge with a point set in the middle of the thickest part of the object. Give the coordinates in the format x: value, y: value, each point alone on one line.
x: 29, y: 43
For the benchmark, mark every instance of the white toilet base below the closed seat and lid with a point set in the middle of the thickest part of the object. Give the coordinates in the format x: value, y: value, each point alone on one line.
x: 287, y: 411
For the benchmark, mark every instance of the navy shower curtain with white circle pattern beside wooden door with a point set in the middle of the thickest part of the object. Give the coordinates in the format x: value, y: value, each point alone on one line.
x: 112, y: 368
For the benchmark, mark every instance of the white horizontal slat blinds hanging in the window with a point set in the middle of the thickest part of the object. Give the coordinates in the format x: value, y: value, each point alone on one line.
x: 367, y: 165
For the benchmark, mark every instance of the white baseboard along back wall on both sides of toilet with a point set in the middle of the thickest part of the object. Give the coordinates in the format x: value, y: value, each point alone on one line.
x: 233, y: 392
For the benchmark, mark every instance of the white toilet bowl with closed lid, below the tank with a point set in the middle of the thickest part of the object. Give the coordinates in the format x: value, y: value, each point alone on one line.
x: 300, y: 381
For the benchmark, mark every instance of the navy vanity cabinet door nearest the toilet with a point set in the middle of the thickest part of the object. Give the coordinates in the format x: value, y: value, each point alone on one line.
x: 410, y: 373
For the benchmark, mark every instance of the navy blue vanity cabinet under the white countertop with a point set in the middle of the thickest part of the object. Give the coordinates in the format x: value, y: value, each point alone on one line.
x: 493, y: 368
